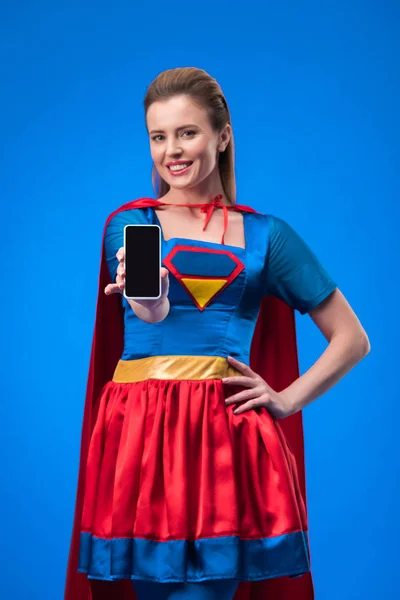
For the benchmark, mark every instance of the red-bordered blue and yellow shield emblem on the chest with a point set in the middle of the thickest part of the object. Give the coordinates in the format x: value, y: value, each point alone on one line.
x: 187, y: 264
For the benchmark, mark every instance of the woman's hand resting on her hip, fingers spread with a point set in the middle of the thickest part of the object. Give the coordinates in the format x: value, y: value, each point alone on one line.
x: 259, y: 393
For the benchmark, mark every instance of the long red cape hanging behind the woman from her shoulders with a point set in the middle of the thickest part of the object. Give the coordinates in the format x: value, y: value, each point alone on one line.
x: 273, y: 356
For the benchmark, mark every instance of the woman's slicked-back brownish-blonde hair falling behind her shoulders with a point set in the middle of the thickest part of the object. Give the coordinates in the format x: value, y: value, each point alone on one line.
x: 205, y: 91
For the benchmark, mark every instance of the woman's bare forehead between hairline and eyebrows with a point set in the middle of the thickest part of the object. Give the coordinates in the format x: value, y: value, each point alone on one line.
x: 174, y: 112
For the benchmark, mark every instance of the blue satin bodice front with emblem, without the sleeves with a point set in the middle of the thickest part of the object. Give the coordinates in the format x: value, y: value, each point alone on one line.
x: 215, y: 294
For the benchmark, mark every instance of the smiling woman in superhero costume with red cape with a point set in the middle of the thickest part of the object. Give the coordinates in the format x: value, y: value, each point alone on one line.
x: 190, y: 480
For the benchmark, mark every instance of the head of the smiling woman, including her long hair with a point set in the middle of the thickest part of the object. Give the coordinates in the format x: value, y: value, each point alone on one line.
x: 188, y: 118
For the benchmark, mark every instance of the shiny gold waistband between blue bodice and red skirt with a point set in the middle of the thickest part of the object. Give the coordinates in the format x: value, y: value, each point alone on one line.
x: 173, y: 367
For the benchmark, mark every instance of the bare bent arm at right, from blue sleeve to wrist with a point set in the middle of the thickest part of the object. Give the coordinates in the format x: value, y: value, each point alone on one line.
x: 348, y: 344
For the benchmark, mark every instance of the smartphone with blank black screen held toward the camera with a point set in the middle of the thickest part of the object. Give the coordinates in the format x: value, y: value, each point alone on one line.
x: 142, y: 245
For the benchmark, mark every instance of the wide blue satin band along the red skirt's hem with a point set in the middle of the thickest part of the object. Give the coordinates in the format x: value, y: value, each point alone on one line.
x: 226, y: 557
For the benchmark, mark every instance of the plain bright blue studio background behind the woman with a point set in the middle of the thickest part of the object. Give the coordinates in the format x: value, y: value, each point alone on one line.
x: 314, y: 96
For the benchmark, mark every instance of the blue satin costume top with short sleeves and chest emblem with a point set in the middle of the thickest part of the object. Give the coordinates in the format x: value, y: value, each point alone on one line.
x: 216, y: 289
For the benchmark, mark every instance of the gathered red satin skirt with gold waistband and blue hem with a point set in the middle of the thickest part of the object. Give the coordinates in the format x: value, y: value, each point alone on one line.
x: 179, y: 488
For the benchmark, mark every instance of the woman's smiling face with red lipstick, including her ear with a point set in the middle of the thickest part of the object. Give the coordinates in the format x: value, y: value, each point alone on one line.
x: 183, y: 145
